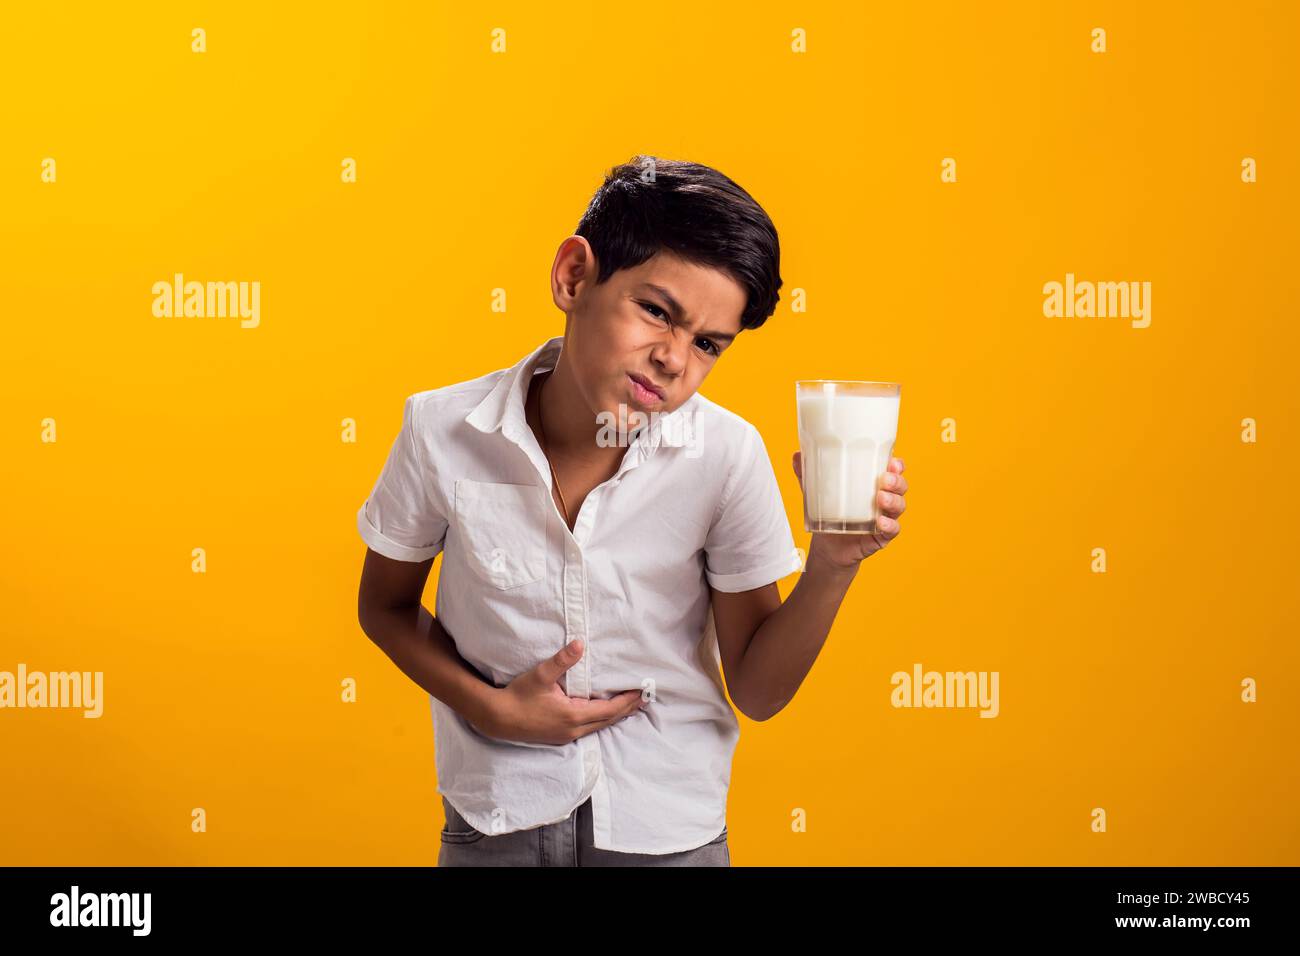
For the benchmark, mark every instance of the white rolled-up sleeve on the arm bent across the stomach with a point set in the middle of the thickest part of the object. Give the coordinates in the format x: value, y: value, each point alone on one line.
x: 401, y: 518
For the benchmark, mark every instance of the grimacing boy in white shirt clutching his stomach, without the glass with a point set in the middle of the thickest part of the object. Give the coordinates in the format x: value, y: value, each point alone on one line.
x: 609, y: 538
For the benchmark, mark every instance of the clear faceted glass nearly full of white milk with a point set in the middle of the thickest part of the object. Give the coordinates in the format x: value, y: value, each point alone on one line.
x: 847, y: 435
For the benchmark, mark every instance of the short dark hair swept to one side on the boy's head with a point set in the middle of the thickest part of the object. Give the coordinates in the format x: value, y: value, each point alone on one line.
x: 651, y: 205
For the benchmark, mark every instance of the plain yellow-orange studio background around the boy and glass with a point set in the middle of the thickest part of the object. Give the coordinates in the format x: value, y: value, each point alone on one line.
x: 1119, y: 690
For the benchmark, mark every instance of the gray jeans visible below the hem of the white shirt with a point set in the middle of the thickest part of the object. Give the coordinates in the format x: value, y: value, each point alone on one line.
x: 567, y: 843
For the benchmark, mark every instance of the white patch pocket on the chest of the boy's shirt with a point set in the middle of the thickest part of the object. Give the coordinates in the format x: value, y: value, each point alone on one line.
x: 504, y: 530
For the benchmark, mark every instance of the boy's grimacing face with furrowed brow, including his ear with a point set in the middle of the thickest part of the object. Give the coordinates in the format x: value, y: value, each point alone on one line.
x: 625, y: 328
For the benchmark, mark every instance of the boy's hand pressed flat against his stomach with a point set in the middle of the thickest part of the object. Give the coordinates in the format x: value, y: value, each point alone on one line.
x: 535, y: 710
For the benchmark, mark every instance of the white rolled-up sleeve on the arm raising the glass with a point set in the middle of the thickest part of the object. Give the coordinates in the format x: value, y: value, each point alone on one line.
x: 751, y: 543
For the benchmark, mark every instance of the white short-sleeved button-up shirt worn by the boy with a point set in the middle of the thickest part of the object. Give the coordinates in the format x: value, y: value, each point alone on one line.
x: 466, y: 477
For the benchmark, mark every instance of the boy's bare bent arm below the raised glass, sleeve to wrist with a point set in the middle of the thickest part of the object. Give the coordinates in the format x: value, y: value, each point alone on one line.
x: 768, y: 648
